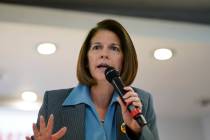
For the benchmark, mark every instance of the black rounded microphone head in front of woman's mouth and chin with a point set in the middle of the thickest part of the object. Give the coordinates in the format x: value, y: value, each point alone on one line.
x: 111, y: 73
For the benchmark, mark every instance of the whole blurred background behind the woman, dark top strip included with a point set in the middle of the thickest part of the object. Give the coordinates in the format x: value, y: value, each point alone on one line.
x: 180, y: 86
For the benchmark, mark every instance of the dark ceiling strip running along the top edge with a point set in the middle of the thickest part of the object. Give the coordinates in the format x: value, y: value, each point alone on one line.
x: 196, y: 11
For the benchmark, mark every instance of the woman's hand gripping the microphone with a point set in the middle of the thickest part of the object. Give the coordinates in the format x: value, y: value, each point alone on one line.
x: 130, y: 97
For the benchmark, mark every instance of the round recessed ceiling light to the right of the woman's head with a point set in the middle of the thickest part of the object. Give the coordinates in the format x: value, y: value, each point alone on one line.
x: 162, y: 54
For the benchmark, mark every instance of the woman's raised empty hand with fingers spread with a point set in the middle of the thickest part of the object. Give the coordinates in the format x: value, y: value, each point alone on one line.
x: 45, y: 132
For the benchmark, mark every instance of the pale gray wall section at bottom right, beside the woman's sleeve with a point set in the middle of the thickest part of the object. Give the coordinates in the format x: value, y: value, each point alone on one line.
x: 180, y: 129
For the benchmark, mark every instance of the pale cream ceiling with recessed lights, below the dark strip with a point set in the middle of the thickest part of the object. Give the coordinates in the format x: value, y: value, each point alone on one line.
x: 178, y: 85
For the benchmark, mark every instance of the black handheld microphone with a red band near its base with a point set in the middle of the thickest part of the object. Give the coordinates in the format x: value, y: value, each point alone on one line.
x: 113, y: 77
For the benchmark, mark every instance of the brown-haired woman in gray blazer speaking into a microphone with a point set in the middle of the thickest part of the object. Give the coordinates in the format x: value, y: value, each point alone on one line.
x: 92, y: 110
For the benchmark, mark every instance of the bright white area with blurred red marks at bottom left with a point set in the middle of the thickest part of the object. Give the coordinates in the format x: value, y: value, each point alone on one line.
x: 16, y: 124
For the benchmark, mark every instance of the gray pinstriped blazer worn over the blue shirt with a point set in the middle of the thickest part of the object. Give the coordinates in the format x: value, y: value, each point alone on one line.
x: 73, y: 117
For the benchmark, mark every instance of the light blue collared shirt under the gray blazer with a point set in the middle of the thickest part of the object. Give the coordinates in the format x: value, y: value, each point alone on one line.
x: 94, y: 128
